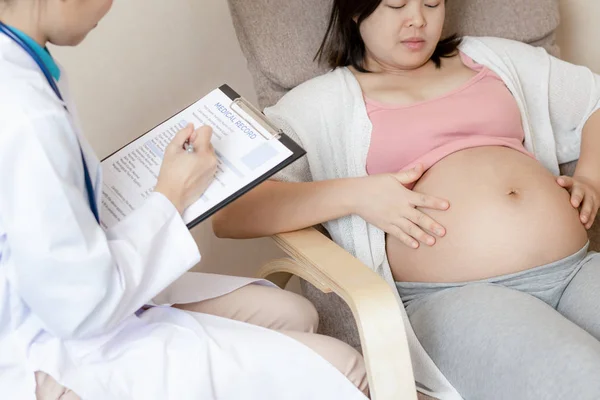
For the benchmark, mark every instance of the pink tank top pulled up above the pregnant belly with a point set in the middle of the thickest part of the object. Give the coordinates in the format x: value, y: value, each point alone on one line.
x: 482, y: 112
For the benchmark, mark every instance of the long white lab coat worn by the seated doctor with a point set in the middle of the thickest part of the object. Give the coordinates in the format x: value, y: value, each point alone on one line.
x: 69, y: 291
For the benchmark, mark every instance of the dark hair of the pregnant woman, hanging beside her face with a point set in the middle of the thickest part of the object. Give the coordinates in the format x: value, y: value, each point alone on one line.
x: 343, y: 46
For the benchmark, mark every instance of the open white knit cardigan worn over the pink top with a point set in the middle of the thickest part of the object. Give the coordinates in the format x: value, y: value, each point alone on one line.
x: 328, y: 117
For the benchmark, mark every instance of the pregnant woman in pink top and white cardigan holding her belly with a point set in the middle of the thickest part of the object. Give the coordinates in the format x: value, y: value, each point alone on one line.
x: 484, y: 241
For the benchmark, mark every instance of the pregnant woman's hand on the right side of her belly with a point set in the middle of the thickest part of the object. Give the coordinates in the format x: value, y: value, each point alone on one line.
x: 584, y: 196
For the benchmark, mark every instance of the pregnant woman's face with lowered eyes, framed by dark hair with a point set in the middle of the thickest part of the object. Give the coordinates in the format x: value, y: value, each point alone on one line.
x: 402, y: 34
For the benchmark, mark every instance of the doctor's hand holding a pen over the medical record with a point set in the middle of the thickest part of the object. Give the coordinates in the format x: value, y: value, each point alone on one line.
x: 188, y: 168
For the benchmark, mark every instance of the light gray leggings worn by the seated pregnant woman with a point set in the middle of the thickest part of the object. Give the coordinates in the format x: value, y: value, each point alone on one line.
x: 530, y: 335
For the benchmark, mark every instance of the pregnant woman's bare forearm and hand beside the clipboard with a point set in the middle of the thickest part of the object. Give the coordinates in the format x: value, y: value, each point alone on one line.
x: 381, y: 200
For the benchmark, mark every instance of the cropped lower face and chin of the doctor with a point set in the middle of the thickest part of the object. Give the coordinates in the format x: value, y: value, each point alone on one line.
x: 69, y: 21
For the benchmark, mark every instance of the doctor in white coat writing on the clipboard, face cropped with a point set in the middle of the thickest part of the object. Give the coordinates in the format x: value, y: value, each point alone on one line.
x: 74, y: 315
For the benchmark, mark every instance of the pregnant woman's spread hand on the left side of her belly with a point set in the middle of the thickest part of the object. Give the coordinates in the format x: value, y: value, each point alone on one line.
x: 385, y: 202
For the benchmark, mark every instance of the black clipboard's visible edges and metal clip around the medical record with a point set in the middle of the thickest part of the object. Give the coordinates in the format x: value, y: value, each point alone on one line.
x: 256, y: 117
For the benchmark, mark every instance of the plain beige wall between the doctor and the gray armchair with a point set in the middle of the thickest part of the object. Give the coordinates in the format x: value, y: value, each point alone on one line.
x: 147, y: 60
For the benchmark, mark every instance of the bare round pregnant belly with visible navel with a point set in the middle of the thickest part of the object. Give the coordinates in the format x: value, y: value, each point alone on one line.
x: 507, y: 214
